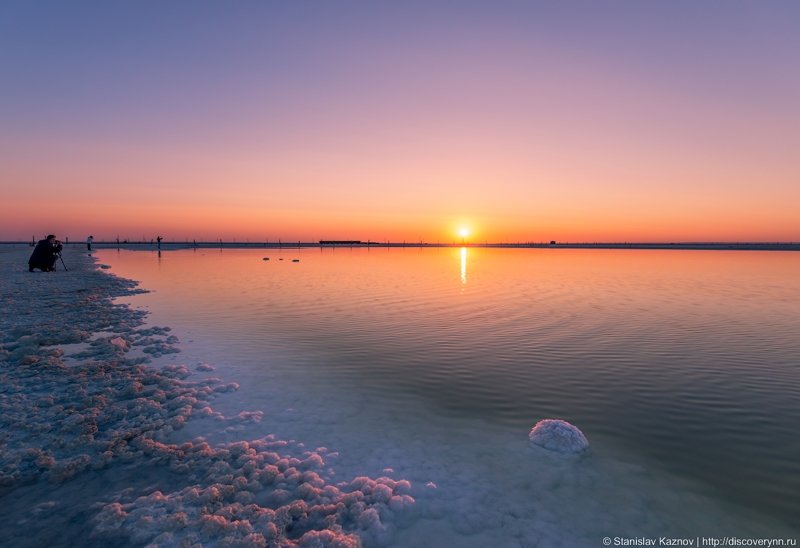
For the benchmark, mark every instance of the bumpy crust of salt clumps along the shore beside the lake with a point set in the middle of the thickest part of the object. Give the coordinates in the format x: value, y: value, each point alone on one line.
x: 103, y: 410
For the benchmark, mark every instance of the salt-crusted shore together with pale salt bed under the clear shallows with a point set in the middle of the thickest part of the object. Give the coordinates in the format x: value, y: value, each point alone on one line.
x: 109, y: 439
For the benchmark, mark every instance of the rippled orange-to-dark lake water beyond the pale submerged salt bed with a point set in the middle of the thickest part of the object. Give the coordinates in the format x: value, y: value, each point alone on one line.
x: 685, y: 361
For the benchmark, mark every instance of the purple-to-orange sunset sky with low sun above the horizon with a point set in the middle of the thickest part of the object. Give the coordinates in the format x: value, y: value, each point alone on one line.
x: 520, y: 121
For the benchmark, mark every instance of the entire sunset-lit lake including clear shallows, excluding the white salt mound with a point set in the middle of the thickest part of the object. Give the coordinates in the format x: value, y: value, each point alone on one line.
x: 681, y: 367
